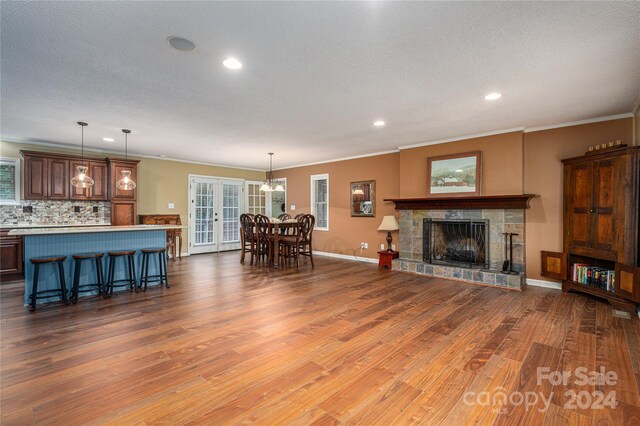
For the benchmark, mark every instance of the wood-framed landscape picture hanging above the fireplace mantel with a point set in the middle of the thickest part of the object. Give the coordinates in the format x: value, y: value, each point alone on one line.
x: 456, y: 175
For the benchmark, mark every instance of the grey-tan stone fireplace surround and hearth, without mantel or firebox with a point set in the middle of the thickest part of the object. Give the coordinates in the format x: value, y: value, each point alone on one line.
x: 411, y: 246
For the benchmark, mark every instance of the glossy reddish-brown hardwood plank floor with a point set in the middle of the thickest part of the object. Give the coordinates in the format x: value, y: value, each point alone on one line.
x: 343, y: 343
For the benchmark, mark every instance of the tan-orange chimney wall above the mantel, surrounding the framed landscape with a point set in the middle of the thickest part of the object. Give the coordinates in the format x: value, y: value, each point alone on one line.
x: 502, y: 157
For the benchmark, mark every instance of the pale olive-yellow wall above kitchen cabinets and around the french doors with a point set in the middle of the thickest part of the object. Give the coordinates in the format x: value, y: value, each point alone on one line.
x: 160, y: 182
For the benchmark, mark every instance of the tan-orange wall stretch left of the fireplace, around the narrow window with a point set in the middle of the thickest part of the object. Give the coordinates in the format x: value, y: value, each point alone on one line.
x: 345, y: 232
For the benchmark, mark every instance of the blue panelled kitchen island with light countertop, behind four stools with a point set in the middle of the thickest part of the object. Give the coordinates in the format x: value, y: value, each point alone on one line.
x: 67, y: 241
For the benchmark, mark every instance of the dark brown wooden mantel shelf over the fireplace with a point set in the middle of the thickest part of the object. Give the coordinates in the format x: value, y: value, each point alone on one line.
x: 464, y: 203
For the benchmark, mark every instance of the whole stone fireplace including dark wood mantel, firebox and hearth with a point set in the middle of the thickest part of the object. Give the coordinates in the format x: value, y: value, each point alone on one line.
x: 463, y: 238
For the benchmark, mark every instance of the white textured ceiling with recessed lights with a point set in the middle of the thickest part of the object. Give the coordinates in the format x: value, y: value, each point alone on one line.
x: 315, y: 77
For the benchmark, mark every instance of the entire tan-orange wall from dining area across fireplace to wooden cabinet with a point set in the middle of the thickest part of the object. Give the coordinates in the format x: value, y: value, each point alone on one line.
x: 513, y: 163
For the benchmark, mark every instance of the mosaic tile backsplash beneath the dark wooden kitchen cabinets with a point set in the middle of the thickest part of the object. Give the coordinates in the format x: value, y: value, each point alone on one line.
x: 49, y: 212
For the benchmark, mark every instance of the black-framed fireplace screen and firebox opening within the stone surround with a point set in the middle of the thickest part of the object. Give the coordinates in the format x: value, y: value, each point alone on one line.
x: 456, y: 242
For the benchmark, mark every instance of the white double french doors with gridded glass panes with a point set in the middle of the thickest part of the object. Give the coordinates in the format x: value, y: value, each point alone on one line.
x: 214, y: 214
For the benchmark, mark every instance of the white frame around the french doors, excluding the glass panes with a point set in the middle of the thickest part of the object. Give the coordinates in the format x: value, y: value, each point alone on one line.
x: 218, y: 200
